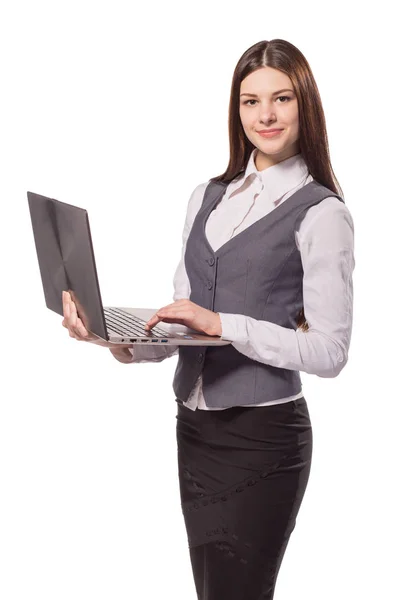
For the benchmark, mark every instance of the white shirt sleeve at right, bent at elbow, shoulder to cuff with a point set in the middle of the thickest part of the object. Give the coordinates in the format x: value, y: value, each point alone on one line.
x: 326, y: 244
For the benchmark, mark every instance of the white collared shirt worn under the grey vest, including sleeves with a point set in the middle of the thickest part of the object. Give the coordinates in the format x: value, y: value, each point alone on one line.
x: 325, y: 240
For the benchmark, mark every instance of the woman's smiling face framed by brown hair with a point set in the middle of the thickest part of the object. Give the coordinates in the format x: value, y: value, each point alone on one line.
x: 262, y: 108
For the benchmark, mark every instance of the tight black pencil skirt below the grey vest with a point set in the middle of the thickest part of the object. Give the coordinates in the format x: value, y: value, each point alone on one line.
x: 243, y: 472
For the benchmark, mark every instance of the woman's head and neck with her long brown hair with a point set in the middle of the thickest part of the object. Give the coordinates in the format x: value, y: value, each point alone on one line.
x: 277, y: 91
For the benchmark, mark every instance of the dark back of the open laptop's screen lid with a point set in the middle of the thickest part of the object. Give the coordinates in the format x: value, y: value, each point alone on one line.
x: 66, y: 259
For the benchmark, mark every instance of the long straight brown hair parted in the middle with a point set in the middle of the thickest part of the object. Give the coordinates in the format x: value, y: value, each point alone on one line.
x: 313, y: 139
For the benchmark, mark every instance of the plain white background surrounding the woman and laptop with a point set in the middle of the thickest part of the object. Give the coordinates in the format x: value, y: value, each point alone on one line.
x: 122, y: 109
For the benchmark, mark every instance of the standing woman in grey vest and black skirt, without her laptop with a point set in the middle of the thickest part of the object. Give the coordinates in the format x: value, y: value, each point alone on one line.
x: 267, y: 262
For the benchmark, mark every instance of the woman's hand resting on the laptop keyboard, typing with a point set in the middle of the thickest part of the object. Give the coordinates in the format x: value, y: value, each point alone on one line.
x: 185, y: 312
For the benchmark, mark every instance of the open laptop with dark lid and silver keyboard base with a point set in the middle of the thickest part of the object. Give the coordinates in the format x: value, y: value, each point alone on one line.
x: 66, y: 261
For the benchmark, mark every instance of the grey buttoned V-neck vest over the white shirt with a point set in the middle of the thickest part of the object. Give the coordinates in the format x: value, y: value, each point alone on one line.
x: 258, y: 273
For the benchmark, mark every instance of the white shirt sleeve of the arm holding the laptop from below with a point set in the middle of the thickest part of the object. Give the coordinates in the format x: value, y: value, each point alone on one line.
x: 156, y: 352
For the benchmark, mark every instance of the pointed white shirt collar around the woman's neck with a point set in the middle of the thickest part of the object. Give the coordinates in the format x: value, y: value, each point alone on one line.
x: 276, y: 180
